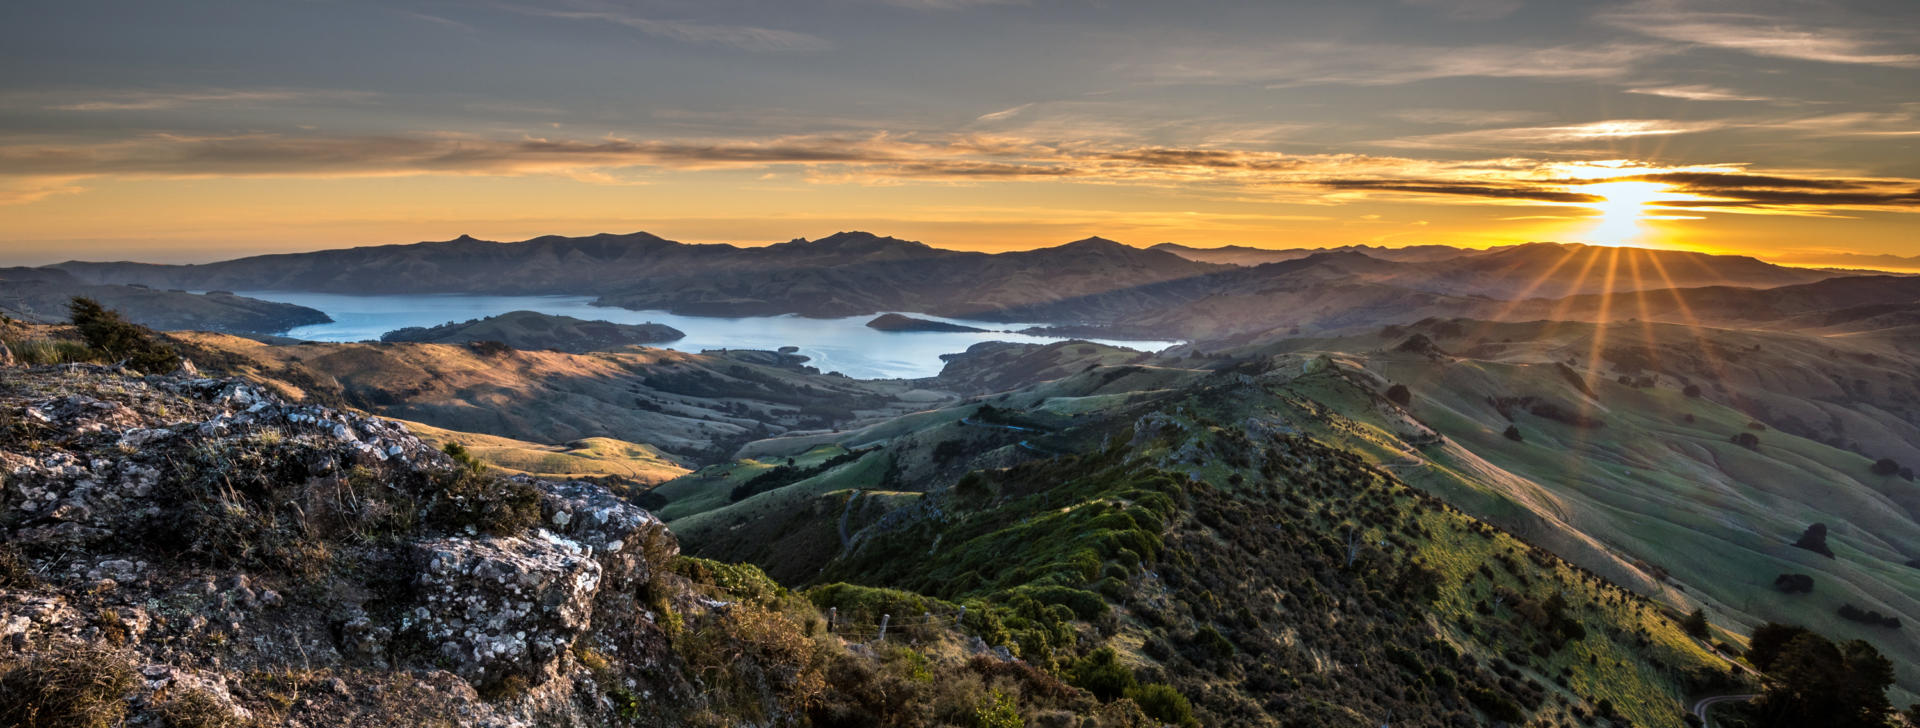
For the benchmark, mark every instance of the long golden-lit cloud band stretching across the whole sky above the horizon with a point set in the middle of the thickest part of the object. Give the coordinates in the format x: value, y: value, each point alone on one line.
x: 34, y: 170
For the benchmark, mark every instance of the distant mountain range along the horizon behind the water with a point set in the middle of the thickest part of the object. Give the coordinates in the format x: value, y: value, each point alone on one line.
x: 1163, y: 291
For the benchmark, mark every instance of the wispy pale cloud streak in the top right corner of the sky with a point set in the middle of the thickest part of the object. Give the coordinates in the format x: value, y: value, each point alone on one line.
x: 1764, y: 36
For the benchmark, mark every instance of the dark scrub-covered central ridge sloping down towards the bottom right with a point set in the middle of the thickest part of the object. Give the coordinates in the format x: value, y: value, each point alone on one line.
x: 1199, y: 539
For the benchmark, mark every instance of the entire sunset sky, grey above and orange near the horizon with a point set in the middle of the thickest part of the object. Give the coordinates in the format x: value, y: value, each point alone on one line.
x: 206, y: 130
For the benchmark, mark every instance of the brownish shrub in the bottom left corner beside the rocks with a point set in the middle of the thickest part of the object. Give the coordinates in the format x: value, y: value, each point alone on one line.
x: 66, y: 689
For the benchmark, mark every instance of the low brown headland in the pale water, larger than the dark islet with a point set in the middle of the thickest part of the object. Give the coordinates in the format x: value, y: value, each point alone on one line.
x: 540, y: 331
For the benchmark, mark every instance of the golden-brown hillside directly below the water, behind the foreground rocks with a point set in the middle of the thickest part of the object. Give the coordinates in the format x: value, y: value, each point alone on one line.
x: 694, y: 406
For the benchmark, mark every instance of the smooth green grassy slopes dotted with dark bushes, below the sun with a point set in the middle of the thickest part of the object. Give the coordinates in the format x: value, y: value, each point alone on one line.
x: 1652, y: 489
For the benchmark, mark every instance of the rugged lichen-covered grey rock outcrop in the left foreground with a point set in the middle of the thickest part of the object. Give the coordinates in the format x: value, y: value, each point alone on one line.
x: 203, y: 533
